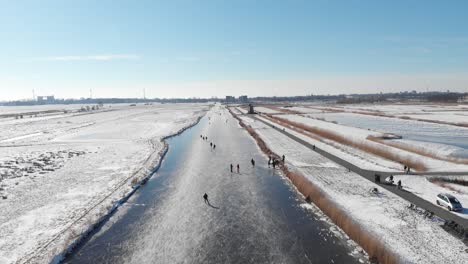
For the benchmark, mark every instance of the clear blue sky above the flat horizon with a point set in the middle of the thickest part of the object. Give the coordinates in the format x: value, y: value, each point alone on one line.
x: 214, y: 48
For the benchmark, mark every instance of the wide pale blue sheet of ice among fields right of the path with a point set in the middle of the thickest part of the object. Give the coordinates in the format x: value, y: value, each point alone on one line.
x: 418, y: 131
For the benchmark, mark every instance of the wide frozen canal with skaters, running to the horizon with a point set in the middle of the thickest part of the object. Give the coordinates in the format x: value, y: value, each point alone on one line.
x: 255, y: 215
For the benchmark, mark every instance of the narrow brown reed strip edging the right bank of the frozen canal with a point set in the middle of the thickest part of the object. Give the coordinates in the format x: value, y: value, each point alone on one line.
x: 375, y: 248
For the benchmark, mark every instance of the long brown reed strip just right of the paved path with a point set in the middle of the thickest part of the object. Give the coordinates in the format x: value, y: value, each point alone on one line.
x: 380, y: 151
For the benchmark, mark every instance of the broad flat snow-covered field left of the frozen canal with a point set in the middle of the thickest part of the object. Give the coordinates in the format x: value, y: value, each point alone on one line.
x: 59, y: 175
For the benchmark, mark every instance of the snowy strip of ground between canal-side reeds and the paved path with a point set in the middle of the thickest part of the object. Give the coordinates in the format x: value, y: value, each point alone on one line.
x: 415, y: 238
